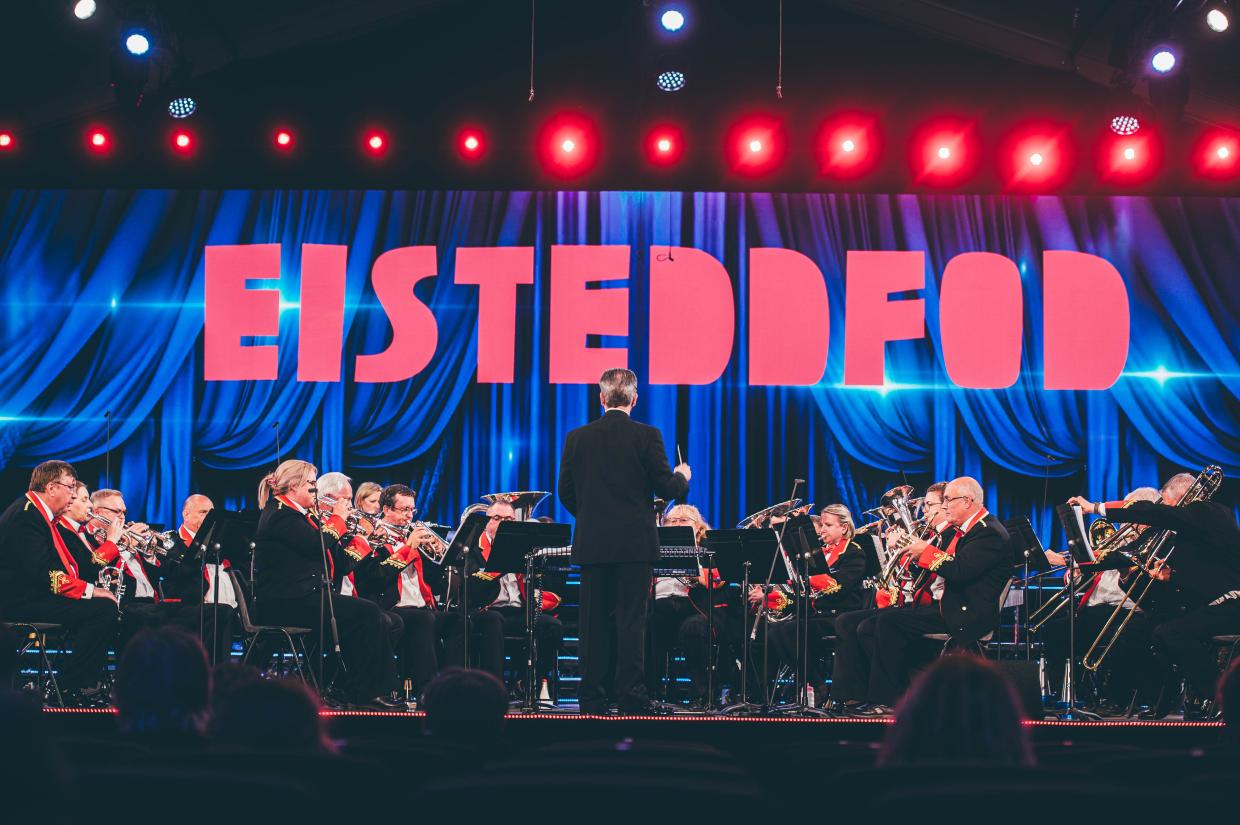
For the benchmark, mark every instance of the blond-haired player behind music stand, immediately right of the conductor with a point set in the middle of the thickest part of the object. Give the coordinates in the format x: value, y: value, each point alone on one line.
x: 680, y: 615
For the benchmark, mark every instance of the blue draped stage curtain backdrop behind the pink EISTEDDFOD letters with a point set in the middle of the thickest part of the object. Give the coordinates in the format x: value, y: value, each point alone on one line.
x: 102, y: 300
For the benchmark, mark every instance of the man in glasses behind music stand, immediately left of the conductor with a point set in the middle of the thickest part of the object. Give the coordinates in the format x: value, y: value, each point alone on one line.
x: 507, y: 613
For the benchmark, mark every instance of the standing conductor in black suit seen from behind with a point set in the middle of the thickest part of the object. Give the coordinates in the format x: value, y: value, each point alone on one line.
x: 609, y: 472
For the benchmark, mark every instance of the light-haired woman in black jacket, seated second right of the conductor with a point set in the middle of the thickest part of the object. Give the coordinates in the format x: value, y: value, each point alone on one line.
x: 836, y: 587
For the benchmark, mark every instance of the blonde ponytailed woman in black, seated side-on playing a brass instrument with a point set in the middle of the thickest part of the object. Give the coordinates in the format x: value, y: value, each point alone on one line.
x: 291, y: 566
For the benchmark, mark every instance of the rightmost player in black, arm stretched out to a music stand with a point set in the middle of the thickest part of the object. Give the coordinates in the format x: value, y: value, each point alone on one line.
x: 1206, y: 571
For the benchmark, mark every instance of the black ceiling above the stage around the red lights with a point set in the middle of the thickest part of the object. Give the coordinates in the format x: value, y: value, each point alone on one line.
x: 421, y: 69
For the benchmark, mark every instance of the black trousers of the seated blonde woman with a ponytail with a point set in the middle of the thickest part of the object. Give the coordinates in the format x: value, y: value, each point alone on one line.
x: 364, y: 640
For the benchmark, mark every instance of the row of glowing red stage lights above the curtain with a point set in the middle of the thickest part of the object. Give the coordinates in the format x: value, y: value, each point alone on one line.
x: 945, y: 153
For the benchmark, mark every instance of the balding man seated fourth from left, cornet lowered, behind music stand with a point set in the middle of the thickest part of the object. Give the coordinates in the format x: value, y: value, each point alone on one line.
x: 190, y: 580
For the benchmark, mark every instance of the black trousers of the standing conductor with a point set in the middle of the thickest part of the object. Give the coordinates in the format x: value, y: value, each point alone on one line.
x: 613, y: 635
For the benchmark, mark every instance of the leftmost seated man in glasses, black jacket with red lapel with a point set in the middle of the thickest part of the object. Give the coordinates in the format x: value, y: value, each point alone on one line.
x: 42, y: 581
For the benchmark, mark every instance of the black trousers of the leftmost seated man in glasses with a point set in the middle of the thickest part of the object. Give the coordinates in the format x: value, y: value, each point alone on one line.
x: 92, y: 628
